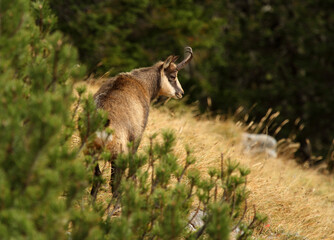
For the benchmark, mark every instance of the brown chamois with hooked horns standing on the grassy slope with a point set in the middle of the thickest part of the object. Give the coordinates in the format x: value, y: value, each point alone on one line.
x: 126, y: 98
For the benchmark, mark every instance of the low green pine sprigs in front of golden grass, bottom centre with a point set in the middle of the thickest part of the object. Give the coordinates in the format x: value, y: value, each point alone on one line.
x: 156, y: 195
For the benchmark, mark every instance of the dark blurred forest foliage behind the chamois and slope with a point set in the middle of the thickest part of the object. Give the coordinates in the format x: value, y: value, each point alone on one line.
x: 275, y: 54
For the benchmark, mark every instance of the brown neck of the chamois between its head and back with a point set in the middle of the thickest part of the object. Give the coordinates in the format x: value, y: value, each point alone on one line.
x: 150, y: 78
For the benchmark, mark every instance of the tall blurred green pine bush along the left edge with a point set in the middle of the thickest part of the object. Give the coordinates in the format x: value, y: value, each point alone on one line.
x: 39, y: 177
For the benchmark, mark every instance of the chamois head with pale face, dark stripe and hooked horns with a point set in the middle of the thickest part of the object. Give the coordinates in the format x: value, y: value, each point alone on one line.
x: 170, y: 85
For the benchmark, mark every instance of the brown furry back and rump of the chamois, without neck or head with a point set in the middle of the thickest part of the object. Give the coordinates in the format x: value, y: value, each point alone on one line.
x: 127, y: 103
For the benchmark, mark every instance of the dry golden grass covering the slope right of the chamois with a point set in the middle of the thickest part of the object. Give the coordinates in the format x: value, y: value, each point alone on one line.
x: 297, y: 201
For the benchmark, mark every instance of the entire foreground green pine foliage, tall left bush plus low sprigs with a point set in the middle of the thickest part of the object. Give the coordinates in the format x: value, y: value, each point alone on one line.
x: 44, y: 181
